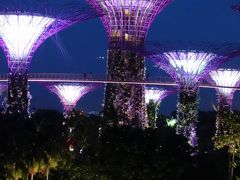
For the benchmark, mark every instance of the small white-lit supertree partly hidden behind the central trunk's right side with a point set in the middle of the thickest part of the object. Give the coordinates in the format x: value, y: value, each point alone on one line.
x: 153, y: 98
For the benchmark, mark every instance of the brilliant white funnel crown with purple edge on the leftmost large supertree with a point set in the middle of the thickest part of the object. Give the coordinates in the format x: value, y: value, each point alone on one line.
x: 22, y: 34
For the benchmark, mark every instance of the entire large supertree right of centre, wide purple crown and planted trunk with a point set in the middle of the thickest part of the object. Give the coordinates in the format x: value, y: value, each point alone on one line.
x: 188, y: 64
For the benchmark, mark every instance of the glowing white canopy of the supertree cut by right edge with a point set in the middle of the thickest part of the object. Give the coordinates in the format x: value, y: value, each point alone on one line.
x: 226, y: 77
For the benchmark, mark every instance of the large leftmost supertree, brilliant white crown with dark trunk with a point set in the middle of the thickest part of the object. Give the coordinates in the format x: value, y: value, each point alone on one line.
x: 23, y: 28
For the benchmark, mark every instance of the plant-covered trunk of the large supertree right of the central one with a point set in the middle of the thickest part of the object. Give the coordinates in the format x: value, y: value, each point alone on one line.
x: 187, y: 114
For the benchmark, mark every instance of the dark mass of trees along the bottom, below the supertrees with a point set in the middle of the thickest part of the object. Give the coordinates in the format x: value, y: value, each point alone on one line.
x: 37, y: 148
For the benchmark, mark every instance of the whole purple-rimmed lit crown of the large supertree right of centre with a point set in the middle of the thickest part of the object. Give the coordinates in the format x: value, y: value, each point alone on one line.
x: 186, y: 67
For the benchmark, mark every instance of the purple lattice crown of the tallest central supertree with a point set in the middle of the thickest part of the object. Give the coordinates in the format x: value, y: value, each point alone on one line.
x: 128, y: 20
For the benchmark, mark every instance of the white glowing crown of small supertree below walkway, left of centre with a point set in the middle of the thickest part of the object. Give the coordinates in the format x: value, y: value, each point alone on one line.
x: 70, y: 93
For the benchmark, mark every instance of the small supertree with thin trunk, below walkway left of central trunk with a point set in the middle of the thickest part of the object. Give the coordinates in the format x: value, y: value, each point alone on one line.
x: 69, y: 94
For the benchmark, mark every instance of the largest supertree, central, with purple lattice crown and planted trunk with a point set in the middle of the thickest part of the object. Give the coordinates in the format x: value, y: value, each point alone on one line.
x: 127, y: 23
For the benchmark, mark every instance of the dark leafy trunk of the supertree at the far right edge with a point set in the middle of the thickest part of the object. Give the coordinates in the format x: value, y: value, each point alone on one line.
x: 223, y: 112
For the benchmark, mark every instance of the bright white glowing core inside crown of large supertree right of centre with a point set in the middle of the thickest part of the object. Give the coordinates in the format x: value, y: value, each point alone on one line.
x: 189, y: 63
